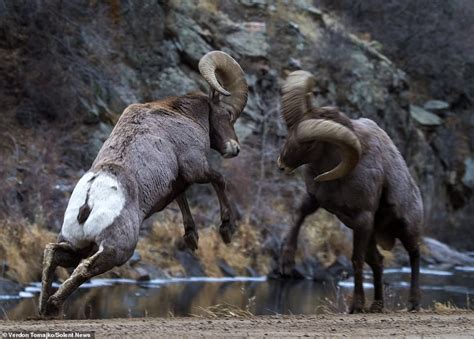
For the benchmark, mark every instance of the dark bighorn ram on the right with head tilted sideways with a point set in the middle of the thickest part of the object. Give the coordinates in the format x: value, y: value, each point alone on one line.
x: 353, y: 170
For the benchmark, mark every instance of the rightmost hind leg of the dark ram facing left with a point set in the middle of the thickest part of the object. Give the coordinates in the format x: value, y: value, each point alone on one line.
x: 411, y: 243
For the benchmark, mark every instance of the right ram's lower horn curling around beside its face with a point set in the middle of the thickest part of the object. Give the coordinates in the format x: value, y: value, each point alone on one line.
x: 334, y: 133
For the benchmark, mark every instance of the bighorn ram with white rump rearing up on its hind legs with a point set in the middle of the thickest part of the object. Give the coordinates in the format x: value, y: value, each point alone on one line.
x: 154, y: 153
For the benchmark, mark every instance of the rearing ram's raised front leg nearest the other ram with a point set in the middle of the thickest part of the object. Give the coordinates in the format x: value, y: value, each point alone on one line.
x: 227, y: 228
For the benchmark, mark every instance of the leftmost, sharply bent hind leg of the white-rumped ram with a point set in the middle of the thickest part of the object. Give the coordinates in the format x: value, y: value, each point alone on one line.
x: 55, y: 254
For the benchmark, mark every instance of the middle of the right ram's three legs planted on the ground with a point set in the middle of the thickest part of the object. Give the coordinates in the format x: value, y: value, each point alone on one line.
x: 375, y: 260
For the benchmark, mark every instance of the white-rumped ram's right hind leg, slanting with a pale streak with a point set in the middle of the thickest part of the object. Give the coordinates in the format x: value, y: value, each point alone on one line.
x: 102, y: 261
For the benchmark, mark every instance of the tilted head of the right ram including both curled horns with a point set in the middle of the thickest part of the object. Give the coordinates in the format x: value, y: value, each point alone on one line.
x: 309, y: 128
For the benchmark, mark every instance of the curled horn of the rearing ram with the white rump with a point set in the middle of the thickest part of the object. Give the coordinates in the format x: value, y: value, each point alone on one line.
x: 226, y: 77
